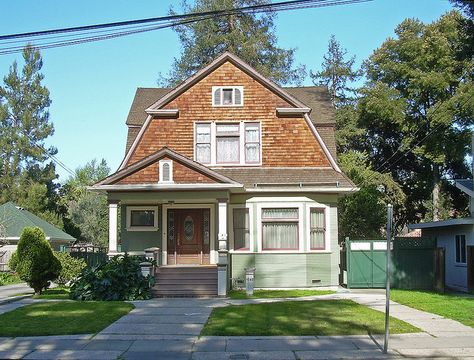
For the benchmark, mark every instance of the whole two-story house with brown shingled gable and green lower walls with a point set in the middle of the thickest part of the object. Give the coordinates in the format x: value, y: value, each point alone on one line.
x: 231, y: 171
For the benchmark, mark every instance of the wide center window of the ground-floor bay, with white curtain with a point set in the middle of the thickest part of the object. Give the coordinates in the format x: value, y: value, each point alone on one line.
x: 280, y: 229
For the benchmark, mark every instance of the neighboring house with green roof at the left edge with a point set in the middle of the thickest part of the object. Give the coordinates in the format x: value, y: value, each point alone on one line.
x: 13, y: 219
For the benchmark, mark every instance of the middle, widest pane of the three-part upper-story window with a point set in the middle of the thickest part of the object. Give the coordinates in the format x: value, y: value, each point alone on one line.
x: 227, y: 143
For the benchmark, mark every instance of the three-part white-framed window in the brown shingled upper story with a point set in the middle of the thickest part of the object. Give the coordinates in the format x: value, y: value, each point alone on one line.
x: 228, y: 143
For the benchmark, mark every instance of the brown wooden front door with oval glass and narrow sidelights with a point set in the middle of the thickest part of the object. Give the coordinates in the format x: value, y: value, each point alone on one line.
x: 188, y: 236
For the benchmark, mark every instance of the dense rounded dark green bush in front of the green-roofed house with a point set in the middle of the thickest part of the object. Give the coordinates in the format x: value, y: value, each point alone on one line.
x: 34, y: 260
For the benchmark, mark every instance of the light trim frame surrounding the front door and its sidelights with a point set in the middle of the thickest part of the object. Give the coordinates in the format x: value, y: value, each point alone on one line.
x: 213, y: 256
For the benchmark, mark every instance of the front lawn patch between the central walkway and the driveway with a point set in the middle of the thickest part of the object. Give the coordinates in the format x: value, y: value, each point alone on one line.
x: 295, y: 318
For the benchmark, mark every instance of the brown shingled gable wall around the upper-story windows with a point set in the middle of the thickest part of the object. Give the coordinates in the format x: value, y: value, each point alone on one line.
x: 286, y: 141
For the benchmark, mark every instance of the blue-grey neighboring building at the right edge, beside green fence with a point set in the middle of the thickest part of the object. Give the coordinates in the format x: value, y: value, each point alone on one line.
x: 456, y: 236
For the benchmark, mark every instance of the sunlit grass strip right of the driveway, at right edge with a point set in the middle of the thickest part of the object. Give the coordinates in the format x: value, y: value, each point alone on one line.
x: 454, y: 307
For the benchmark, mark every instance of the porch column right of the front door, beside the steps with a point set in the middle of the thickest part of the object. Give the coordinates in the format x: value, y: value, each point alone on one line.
x: 222, y: 249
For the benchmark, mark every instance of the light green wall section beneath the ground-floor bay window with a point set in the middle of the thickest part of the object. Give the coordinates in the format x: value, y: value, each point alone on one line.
x: 284, y: 270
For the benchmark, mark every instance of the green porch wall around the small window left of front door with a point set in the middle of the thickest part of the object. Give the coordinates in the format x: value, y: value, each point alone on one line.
x: 139, y: 240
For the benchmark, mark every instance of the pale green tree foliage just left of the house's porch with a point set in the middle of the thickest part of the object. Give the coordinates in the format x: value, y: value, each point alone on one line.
x: 87, y: 213
